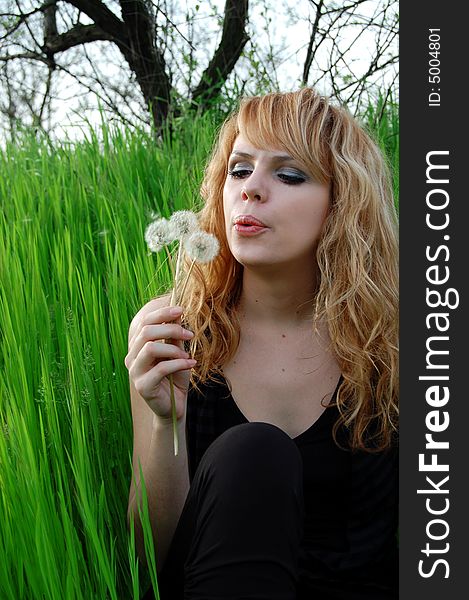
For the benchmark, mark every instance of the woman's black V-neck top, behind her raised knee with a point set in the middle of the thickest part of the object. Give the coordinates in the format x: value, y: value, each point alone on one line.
x: 350, y: 498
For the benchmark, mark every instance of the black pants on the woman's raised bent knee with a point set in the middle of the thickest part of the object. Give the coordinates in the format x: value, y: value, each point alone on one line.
x: 240, y: 530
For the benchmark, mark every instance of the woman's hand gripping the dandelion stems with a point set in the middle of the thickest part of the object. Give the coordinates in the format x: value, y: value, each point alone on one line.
x: 155, y: 351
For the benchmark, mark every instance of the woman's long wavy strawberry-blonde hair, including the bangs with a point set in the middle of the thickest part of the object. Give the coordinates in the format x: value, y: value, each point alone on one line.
x: 357, y: 255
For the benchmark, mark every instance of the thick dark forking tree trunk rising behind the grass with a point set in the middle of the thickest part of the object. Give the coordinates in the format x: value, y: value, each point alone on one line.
x: 135, y: 36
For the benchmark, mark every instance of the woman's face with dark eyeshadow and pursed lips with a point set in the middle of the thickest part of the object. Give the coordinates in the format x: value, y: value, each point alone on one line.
x: 274, y: 210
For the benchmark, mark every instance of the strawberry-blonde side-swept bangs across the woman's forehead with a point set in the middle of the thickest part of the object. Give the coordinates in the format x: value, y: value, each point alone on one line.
x: 290, y: 123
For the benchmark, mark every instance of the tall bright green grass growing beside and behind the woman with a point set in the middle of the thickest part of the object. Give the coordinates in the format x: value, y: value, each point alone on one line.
x: 74, y: 269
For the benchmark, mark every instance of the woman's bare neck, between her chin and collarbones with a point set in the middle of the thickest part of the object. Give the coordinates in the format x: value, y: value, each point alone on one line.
x: 275, y: 299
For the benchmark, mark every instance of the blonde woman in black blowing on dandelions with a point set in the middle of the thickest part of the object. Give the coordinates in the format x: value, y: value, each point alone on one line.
x: 285, y: 486
